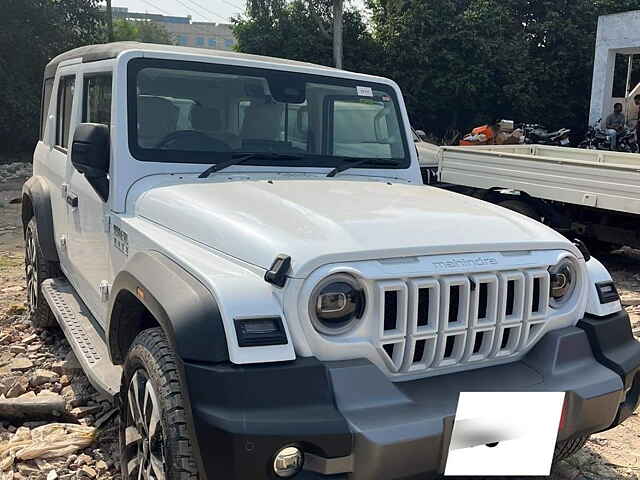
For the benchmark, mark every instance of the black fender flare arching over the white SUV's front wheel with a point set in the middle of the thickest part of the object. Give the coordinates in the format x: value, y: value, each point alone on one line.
x: 186, y: 310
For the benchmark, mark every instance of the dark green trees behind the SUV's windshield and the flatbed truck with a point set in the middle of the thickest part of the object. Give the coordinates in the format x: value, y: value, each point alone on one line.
x: 458, y: 62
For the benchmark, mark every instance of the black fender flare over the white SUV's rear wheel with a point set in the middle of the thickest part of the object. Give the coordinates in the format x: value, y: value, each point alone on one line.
x: 36, y: 202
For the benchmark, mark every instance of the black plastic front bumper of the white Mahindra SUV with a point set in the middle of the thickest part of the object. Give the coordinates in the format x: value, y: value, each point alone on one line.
x: 352, y: 422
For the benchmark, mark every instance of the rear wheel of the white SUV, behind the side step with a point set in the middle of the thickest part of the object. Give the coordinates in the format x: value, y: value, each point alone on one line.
x: 37, y: 269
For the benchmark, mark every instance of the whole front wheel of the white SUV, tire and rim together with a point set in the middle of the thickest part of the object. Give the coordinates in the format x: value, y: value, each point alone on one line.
x: 154, y: 440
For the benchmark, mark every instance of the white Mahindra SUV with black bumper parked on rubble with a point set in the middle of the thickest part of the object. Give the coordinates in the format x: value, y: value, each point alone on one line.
x: 241, y: 250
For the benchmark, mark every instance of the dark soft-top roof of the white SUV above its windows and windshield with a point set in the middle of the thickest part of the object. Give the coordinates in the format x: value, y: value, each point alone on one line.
x: 104, y: 51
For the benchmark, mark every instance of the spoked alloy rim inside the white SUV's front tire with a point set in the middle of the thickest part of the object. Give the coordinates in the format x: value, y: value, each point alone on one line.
x: 144, y: 438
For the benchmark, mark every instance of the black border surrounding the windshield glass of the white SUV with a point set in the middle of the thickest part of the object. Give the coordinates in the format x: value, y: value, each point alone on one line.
x: 135, y: 65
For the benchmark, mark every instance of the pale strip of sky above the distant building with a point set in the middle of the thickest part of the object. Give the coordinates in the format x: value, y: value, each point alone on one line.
x: 218, y: 11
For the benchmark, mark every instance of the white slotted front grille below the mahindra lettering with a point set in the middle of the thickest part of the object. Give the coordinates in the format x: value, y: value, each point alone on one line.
x: 454, y: 320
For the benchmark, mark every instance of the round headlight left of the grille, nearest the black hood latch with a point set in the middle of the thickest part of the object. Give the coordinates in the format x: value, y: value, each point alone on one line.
x: 336, y: 303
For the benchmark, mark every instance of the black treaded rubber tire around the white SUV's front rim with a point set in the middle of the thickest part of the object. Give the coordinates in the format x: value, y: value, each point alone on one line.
x: 151, y: 355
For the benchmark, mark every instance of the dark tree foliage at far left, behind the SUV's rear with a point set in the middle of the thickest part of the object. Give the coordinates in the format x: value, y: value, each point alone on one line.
x: 33, y: 32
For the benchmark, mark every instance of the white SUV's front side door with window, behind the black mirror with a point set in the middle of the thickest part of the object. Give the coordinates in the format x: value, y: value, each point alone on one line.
x: 88, y: 214
